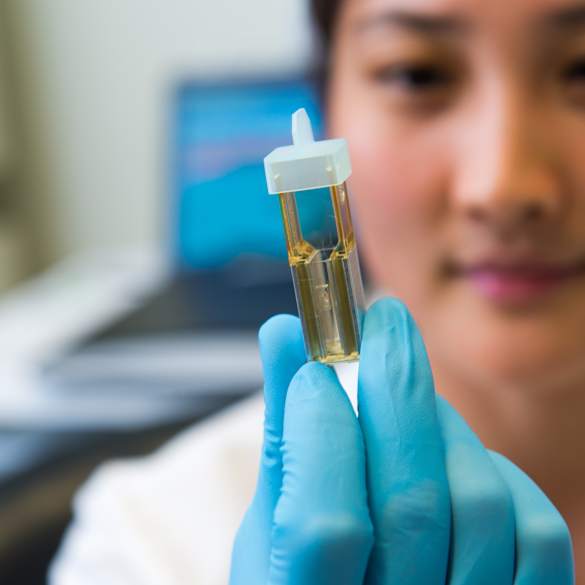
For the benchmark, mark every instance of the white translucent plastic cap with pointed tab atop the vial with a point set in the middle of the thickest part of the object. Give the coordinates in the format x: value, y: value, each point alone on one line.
x: 306, y: 164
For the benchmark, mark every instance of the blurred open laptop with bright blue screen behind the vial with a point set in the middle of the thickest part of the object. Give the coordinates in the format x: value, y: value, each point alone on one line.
x: 197, y: 335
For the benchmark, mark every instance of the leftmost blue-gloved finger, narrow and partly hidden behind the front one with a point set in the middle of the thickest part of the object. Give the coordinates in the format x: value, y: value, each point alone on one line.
x: 282, y: 353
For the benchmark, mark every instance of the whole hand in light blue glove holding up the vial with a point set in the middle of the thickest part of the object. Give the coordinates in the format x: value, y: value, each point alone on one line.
x: 404, y: 495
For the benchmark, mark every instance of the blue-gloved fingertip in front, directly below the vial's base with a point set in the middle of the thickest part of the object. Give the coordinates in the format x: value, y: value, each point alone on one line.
x: 322, y: 531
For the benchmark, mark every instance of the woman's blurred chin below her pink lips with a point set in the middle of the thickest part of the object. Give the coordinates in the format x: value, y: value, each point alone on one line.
x: 539, y: 350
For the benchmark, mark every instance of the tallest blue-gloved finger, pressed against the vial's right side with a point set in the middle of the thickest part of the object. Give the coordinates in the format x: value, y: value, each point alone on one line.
x: 407, y: 483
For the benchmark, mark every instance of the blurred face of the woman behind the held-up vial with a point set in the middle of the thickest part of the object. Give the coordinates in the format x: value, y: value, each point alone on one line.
x: 466, y: 123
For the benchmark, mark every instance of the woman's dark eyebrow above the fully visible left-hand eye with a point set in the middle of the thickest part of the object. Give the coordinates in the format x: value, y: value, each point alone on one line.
x: 413, y: 21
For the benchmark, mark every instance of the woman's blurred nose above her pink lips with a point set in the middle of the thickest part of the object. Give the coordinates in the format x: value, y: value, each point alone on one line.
x: 509, y: 179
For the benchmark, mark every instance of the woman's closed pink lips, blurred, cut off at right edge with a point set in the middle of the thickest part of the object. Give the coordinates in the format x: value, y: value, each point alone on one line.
x: 518, y: 282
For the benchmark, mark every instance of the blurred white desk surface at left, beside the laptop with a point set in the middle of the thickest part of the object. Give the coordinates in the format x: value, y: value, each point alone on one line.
x: 44, y: 316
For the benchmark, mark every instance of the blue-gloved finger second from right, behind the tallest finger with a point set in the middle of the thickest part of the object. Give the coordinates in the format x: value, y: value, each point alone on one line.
x: 482, y: 526
